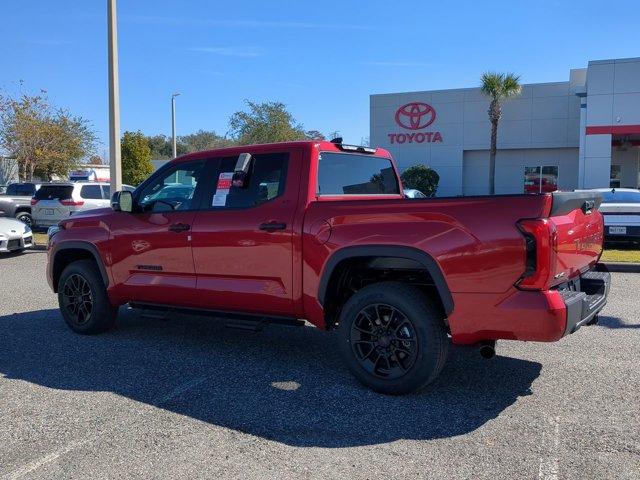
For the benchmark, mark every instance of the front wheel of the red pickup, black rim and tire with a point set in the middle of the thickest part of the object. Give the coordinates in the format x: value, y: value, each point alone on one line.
x: 83, y: 299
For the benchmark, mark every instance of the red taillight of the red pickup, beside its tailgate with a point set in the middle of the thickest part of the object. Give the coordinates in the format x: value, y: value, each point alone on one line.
x: 540, y: 240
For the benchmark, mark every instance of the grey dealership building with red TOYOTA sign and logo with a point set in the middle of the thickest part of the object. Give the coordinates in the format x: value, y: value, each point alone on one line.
x: 580, y: 133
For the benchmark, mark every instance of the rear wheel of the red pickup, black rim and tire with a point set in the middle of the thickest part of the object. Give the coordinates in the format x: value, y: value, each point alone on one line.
x: 393, y: 338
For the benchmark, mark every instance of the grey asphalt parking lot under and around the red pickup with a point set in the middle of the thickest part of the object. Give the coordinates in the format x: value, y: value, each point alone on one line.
x: 186, y: 398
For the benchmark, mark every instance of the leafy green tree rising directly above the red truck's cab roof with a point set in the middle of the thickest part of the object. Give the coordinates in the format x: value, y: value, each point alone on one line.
x: 265, y: 123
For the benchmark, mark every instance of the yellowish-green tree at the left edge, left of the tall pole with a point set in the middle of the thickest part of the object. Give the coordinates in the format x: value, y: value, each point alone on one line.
x: 45, y: 141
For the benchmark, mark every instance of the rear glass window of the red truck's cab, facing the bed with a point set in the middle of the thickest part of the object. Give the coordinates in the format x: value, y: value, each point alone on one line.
x: 355, y: 174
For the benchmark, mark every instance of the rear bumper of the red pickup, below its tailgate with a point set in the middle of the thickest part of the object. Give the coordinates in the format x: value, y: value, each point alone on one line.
x: 587, y: 299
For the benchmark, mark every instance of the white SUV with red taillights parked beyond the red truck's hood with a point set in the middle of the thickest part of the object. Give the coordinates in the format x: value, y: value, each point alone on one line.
x: 56, y: 201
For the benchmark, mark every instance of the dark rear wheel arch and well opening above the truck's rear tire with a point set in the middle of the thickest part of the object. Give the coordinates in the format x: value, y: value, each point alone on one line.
x: 380, y: 257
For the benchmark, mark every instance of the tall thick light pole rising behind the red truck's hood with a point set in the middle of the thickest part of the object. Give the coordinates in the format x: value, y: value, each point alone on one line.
x: 115, y: 164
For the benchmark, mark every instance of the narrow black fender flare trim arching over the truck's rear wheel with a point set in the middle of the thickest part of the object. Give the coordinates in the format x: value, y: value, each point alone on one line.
x: 409, y: 253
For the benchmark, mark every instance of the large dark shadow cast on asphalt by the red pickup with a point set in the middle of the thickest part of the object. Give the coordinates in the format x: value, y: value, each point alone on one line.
x: 284, y: 384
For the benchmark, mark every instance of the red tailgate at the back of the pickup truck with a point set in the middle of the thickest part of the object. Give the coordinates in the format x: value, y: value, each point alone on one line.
x: 579, y: 233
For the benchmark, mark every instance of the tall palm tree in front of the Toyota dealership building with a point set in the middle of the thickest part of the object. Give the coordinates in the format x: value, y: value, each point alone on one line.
x: 497, y: 86
